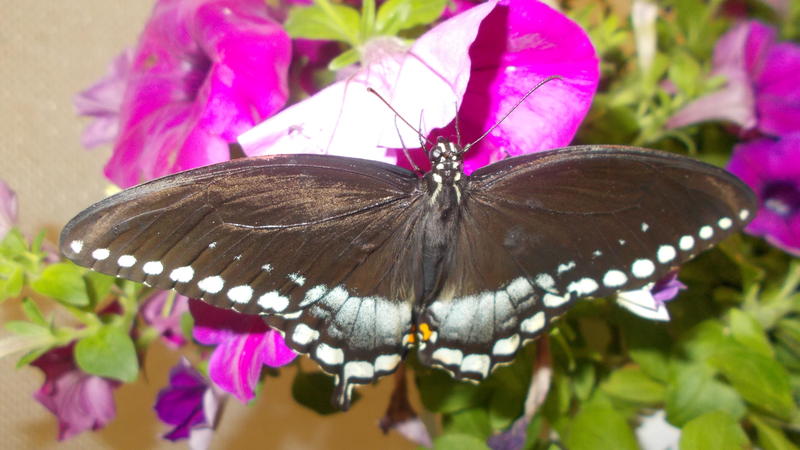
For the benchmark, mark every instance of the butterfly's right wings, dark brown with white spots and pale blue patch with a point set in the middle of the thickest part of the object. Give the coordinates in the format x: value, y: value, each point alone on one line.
x: 537, y: 232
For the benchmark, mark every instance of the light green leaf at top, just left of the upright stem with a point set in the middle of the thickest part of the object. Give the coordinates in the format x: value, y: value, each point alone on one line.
x: 324, y: 22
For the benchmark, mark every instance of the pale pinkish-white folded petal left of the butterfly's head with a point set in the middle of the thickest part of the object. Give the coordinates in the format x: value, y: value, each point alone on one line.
x: 424, y: 83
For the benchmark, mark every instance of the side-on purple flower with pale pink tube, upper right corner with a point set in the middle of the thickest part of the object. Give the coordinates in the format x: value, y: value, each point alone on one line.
x: 760, y: 91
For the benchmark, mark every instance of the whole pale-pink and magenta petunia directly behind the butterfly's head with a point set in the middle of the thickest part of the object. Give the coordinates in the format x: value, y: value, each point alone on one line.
x: 483, y: 59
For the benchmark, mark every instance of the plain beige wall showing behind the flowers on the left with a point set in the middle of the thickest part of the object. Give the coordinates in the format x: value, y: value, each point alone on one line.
x: 49, y: 50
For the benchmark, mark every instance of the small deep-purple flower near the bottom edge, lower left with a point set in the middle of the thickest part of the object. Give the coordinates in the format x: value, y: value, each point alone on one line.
x: 189, y: 403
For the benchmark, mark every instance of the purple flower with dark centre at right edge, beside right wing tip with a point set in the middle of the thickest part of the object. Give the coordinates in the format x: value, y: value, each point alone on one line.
x: 771, y: 167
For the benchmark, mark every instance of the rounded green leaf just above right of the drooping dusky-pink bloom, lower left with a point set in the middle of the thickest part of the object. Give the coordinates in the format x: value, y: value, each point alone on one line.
x: 110, y: 353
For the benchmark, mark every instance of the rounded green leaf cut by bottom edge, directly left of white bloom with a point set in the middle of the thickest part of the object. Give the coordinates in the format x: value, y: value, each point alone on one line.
x: 600, y: 426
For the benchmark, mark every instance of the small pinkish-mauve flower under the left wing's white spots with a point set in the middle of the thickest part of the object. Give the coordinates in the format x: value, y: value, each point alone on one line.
x: 164, y: 315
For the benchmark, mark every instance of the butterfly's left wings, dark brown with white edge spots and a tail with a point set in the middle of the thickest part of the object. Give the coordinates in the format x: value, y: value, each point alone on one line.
x: 302, y: 239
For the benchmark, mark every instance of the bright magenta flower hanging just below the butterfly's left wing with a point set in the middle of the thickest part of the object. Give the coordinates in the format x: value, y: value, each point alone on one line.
x: 244, y: 344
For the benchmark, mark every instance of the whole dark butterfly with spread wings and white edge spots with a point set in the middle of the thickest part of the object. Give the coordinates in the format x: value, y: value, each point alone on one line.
x: 356, y: 261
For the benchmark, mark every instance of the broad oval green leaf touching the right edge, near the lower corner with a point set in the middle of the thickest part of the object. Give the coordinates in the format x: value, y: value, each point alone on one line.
x: 760, y: 380
